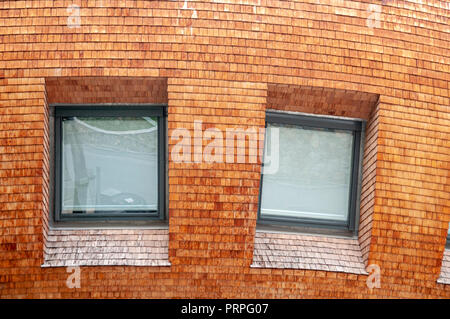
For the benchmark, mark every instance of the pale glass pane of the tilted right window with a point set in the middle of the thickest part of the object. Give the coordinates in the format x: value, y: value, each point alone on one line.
x: 313, y: 178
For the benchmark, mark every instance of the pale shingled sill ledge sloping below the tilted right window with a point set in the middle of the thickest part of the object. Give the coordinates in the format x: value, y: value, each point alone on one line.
x: 309, y: 252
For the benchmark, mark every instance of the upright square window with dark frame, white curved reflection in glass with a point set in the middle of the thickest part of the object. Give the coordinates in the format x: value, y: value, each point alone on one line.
x: 109, y: 162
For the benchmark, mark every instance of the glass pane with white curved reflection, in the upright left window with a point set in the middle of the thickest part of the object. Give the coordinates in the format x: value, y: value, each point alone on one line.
x: 109, y: 164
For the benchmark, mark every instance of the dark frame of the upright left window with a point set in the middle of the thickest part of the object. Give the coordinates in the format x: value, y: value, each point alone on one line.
x: 100, y: 110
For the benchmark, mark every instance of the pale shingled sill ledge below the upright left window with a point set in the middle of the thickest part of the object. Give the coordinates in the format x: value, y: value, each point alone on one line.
x: 106, y: 247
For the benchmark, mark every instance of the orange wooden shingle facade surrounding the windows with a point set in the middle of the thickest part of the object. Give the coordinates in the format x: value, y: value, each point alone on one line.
x: 224, y: 62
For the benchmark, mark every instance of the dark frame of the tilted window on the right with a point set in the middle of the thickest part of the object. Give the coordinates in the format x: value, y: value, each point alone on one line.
x: 357, y: 126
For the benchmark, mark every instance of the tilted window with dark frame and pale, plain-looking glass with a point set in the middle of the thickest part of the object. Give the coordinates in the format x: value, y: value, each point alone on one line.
x: 316, y: 183
